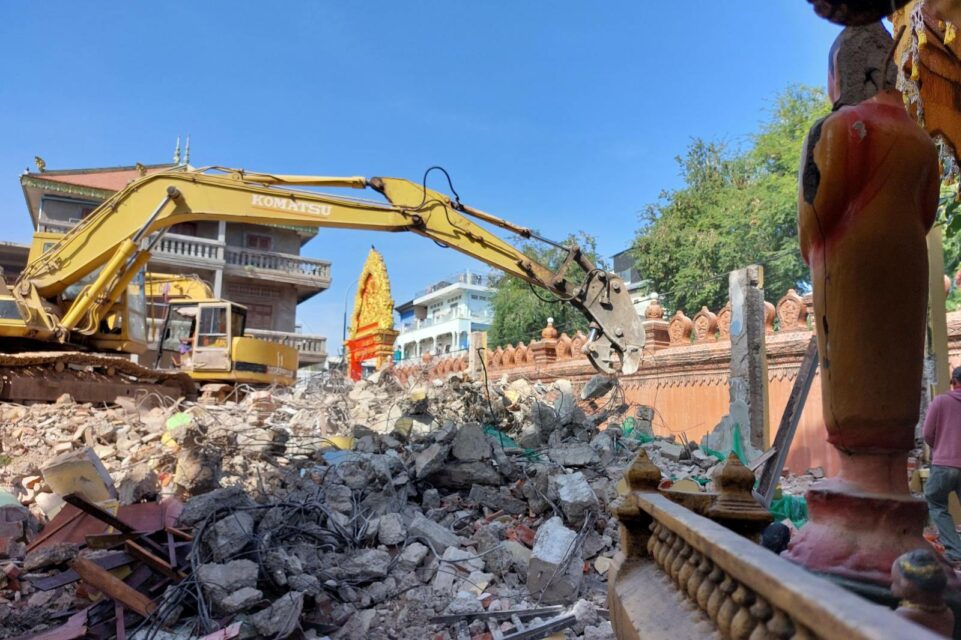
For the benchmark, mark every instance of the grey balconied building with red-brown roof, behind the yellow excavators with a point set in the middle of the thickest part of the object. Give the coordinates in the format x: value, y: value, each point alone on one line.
x: 257, y: 266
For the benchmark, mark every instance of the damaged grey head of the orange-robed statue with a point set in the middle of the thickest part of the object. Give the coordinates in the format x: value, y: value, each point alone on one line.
x: 859, y: 65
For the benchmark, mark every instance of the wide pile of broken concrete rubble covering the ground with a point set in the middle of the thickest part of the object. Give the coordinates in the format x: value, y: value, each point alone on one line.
x: 445, y: 509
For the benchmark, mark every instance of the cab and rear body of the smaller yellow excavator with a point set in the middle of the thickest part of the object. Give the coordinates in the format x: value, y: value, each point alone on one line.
x: 206, y: 341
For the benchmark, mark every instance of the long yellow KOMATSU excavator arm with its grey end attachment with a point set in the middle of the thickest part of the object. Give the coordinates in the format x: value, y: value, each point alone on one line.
x: 120, y: 233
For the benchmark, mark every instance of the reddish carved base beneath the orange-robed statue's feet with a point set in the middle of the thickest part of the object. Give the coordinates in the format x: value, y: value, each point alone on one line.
x: 857, y: 535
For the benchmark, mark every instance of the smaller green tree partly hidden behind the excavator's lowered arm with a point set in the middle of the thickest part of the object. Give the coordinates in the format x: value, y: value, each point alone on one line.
x: 520, y: 311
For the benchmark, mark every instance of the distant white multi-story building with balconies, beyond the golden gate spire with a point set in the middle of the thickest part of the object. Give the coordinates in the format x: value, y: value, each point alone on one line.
x: 440, y: 318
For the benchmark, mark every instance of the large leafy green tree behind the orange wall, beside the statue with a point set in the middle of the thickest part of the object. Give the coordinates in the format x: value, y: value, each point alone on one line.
x: 736, y: 208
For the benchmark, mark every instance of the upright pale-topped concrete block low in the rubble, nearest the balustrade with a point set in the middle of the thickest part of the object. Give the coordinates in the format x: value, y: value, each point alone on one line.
x: 554, y: 574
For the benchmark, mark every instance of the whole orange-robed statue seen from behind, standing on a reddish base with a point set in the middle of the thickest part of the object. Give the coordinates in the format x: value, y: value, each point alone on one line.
x: 869, y: 190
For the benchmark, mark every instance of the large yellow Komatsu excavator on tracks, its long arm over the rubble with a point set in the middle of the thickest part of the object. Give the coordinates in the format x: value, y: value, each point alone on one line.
x: 84, y: 295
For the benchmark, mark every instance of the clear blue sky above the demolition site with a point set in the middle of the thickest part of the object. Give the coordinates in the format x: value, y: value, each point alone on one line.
x: 561, y: 116
